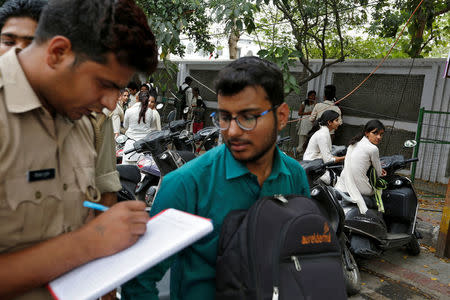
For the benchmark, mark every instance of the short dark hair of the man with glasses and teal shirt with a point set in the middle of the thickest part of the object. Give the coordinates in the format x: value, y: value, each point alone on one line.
x: 251, y: 71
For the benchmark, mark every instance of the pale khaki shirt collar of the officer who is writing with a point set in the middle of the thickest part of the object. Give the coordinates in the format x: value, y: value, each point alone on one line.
x: 19, y: 95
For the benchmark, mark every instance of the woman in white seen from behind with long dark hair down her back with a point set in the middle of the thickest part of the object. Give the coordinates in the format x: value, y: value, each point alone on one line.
x: 139, y: 121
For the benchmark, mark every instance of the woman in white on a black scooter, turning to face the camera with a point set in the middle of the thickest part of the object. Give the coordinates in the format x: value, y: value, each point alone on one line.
x: 361, y: 155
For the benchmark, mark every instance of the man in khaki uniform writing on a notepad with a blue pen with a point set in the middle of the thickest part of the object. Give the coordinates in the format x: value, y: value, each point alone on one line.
x: 75, y: 66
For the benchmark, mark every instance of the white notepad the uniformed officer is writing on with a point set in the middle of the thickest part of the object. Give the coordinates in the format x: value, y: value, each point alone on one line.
x: 167, y: 233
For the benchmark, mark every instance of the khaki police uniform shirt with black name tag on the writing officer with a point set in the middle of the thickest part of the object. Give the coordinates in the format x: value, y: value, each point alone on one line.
x: 47, y: 166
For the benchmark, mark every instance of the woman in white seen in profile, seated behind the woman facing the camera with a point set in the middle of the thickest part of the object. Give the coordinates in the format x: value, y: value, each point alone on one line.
x: 318, y: 141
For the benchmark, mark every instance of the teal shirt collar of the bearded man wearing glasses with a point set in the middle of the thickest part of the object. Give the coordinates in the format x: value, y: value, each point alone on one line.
x: 235, y: 169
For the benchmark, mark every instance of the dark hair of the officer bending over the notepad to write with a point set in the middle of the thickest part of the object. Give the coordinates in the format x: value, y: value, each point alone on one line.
x: 98, y: 27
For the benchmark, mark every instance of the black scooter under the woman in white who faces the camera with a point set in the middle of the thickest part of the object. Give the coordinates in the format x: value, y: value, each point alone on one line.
x: 373, y: 232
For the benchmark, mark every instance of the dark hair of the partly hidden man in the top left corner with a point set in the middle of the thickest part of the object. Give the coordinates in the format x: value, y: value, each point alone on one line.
x: 21, y: 8
